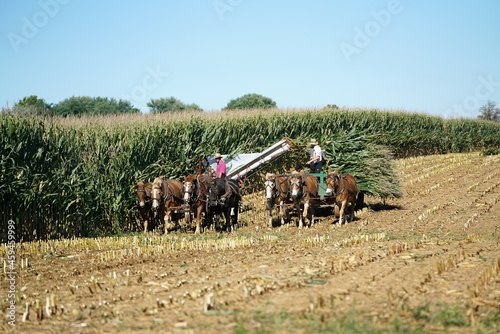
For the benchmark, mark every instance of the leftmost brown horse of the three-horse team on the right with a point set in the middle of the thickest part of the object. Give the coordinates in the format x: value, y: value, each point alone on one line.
x: 277, y: 193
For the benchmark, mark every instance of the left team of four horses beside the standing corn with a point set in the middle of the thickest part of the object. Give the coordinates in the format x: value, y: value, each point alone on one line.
x: 199, y: 198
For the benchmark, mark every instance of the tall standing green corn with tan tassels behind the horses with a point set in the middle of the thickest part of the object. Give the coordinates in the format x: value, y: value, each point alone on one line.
x: 74, y: 176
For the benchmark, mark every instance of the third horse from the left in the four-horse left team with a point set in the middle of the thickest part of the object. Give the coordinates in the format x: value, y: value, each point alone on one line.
x: 195, y: 196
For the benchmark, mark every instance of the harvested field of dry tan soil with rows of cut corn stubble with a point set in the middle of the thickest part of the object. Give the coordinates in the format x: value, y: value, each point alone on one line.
x: 427, y: 262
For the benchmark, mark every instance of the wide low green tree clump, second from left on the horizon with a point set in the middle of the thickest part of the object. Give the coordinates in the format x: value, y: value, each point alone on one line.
x: 85, y: 105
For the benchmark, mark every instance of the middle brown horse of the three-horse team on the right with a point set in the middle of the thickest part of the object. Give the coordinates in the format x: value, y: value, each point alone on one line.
x: 304, y: 189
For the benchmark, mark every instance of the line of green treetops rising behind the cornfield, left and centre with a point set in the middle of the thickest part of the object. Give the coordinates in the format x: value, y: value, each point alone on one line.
x: 85, y: 105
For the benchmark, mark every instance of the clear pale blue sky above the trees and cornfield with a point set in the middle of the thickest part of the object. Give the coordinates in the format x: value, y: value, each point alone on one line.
x: 440, y: 57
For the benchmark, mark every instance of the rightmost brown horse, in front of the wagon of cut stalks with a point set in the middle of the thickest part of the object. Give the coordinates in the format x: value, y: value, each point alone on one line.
x: 345, y: 190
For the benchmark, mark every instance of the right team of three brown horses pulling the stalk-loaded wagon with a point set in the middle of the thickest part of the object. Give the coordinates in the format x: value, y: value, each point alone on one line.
x: 298, y: 192
